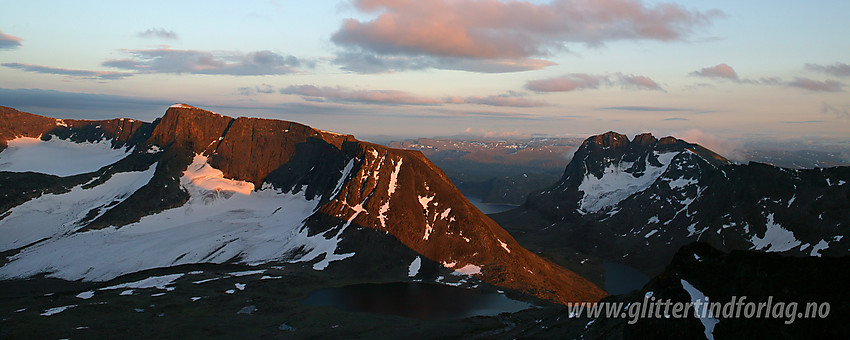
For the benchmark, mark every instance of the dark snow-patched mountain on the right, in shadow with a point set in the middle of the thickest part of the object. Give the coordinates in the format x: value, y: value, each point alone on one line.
x: 639, y: 200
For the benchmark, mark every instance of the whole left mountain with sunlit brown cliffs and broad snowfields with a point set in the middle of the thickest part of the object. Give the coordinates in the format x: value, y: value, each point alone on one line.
x: 93, y: 200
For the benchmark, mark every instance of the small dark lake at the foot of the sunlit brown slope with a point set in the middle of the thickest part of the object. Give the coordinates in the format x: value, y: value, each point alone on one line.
x: 415, y: 300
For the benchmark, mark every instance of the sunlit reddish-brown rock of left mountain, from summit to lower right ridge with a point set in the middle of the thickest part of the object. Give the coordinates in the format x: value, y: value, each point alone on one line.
x: 396, y: 191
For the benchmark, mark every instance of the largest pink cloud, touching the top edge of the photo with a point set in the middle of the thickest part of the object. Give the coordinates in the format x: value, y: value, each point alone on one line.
x: 493, y: 29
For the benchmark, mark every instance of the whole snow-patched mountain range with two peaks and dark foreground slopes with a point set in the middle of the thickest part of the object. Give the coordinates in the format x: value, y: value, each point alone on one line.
x: 203, y: 202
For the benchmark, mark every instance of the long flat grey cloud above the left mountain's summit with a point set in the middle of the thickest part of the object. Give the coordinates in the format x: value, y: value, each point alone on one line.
x: 167, y: 60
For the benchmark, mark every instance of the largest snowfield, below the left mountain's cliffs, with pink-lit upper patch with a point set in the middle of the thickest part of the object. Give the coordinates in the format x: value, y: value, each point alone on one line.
x: 221, y: 221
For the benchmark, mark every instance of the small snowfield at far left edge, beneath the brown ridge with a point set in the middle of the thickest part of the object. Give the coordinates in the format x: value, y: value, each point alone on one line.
x: 58, y: 156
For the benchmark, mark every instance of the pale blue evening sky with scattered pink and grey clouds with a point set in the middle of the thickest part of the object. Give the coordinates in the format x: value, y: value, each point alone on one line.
x: 720, y: 69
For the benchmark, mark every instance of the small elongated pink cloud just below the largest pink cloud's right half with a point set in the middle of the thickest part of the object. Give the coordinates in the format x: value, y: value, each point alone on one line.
x: 578, y: 81
